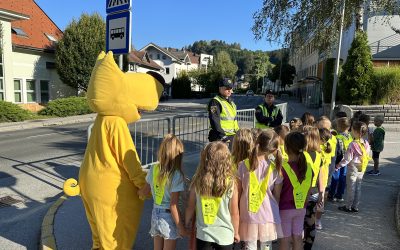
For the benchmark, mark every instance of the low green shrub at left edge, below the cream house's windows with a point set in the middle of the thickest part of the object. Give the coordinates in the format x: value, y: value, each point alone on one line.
x: 10, y: 112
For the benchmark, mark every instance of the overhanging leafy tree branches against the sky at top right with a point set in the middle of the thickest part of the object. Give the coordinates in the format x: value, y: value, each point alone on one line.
x: 294, y: 20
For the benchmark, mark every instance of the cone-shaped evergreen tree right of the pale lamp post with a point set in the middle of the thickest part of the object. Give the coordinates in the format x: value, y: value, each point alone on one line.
x: 356, y: 79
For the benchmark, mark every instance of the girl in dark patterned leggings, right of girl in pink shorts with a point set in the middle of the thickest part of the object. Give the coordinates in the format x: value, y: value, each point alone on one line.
x: 316, y: 198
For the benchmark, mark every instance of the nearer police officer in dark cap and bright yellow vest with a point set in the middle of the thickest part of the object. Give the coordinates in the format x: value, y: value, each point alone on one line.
x: 222, y: 114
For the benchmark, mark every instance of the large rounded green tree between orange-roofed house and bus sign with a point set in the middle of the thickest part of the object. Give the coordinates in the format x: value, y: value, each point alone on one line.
x: 77, y: 51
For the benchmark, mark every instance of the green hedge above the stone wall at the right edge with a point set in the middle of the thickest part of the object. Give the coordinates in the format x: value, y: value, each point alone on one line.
x: 386, y: 85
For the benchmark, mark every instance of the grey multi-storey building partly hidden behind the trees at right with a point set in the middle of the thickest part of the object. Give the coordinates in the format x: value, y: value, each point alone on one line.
x: 310, y: 62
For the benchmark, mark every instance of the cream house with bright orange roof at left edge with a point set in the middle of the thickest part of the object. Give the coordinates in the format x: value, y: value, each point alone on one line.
x: 27, y: 60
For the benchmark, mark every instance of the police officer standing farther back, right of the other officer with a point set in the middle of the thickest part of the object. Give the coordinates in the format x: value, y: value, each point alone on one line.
x: 267, y: 114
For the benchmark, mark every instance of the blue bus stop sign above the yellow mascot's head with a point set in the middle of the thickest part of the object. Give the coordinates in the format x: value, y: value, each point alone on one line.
x: 118, y: 26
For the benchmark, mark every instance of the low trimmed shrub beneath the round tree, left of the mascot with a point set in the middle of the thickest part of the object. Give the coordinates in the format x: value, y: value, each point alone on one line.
x: 67, y: 107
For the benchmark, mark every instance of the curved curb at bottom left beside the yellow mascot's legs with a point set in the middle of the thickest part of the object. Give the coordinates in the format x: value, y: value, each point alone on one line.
x: 47, y: 239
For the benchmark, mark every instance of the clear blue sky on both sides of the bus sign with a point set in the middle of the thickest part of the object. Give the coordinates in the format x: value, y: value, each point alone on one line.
x: 174, y: 23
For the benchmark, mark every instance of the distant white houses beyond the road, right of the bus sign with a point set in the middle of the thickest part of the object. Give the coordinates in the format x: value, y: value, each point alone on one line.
x: 173, y: 61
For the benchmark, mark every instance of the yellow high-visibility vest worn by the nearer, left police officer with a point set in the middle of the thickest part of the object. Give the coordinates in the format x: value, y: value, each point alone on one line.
x: 227, y: 116
